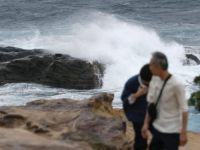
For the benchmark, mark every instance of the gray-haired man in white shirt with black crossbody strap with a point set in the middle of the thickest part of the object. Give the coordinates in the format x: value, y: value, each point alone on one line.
x: 170, y: 125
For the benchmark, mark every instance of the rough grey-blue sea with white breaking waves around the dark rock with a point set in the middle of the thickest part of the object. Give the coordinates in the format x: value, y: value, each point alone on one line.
x: 119, y: 33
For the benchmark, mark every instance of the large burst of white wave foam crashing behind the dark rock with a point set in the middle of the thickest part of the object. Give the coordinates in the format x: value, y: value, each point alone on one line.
x: 122, y: 46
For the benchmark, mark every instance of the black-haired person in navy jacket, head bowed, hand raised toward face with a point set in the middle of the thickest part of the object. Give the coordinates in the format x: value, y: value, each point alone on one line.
x: 135, y: 104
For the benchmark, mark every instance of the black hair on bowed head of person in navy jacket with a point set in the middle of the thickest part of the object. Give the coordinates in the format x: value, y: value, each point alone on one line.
x: 145, y: 73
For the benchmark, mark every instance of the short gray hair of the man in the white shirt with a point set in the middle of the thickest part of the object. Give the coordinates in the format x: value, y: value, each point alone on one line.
x: 160, y: 60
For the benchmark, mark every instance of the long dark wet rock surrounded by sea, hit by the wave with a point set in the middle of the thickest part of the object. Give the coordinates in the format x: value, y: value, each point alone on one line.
x: 39, y: 66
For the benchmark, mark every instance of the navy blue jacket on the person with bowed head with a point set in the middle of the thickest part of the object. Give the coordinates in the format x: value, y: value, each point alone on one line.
x: 135, y: 112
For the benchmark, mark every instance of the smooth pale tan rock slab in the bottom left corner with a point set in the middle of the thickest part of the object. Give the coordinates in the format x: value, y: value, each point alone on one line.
x: 17, y: 139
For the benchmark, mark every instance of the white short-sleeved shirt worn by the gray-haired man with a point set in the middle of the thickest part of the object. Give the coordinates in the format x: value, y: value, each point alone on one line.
x: 171, y: 105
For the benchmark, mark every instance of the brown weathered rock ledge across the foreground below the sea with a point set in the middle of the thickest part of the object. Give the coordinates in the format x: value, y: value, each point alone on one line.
x: 64, y: 124
